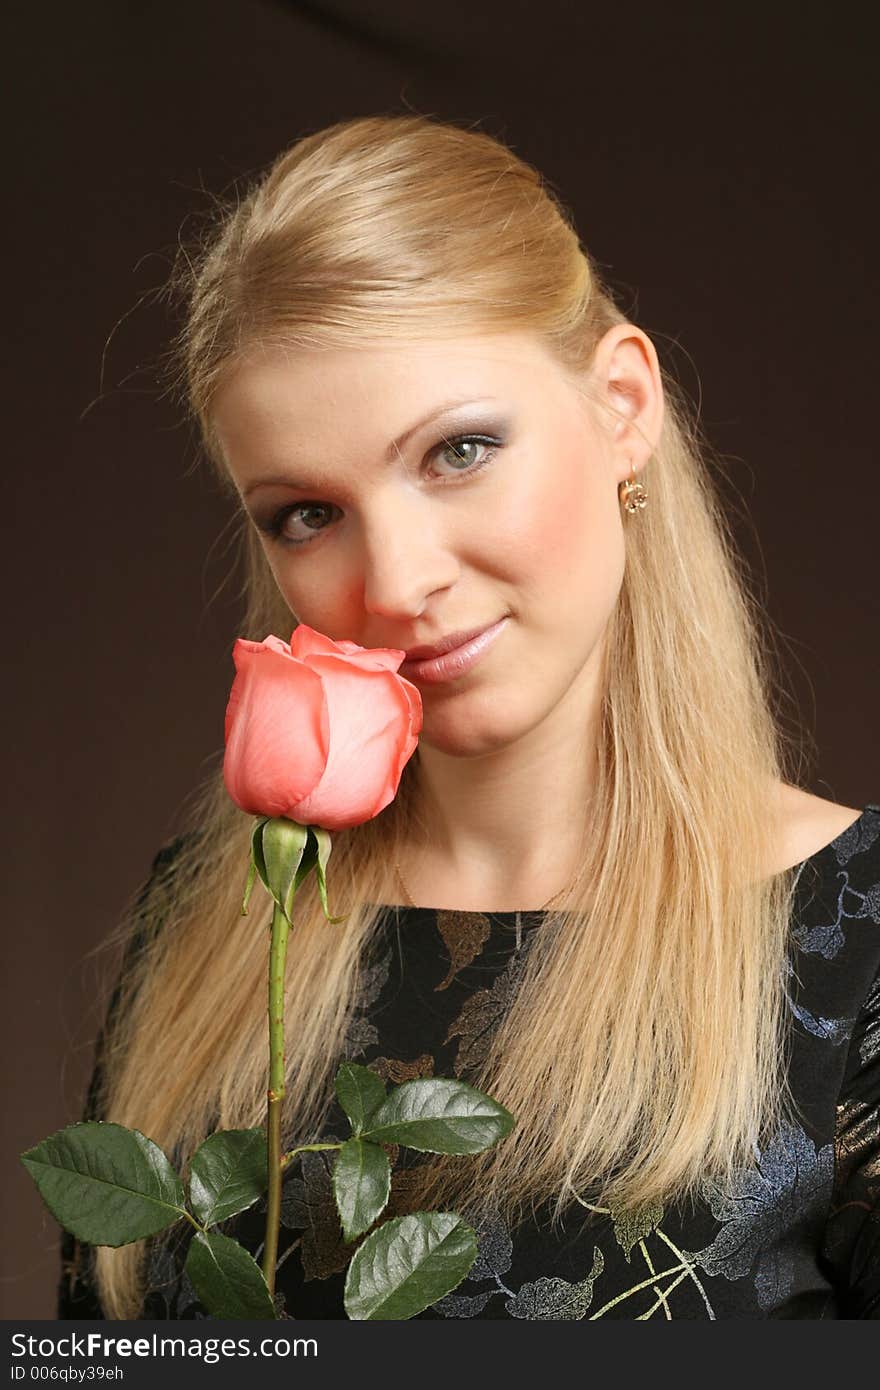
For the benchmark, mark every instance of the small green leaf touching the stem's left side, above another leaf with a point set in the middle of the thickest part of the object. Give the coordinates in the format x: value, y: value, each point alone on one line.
x: 229, y: 1174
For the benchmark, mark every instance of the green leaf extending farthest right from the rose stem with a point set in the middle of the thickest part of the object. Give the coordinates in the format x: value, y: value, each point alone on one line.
x: 440, y: 1117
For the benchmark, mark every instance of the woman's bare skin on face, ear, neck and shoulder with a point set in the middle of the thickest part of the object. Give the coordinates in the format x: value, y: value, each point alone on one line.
x: 404, y: 546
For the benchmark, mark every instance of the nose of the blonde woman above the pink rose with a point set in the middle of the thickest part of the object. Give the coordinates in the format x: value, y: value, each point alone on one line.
x: 408, y: 558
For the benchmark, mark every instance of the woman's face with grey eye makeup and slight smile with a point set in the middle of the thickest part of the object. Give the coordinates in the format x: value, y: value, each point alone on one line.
x: 500, y: 502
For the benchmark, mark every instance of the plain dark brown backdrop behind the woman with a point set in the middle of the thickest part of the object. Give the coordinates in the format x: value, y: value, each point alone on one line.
x: 721, y: 165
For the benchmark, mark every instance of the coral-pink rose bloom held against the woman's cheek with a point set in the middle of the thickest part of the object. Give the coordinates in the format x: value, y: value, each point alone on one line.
x: 318, y: 732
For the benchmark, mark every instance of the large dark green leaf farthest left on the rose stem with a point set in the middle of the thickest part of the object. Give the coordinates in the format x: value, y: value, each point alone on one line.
x: 106, y: 1184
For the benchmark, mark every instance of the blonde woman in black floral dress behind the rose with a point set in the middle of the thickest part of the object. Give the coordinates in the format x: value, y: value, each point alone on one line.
x: 600, y: 894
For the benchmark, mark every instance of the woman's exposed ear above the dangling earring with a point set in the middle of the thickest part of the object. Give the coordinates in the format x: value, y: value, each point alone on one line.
x: 626, y: 375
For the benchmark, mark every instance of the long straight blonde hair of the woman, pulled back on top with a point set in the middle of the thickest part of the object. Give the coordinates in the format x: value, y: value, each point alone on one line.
x: 646, y: 1046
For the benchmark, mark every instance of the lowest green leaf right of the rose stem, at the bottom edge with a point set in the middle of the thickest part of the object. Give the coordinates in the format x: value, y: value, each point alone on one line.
x: 408, y: 1264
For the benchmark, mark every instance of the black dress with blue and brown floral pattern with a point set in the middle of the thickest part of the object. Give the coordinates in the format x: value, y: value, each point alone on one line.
x: 797, y: 1235
